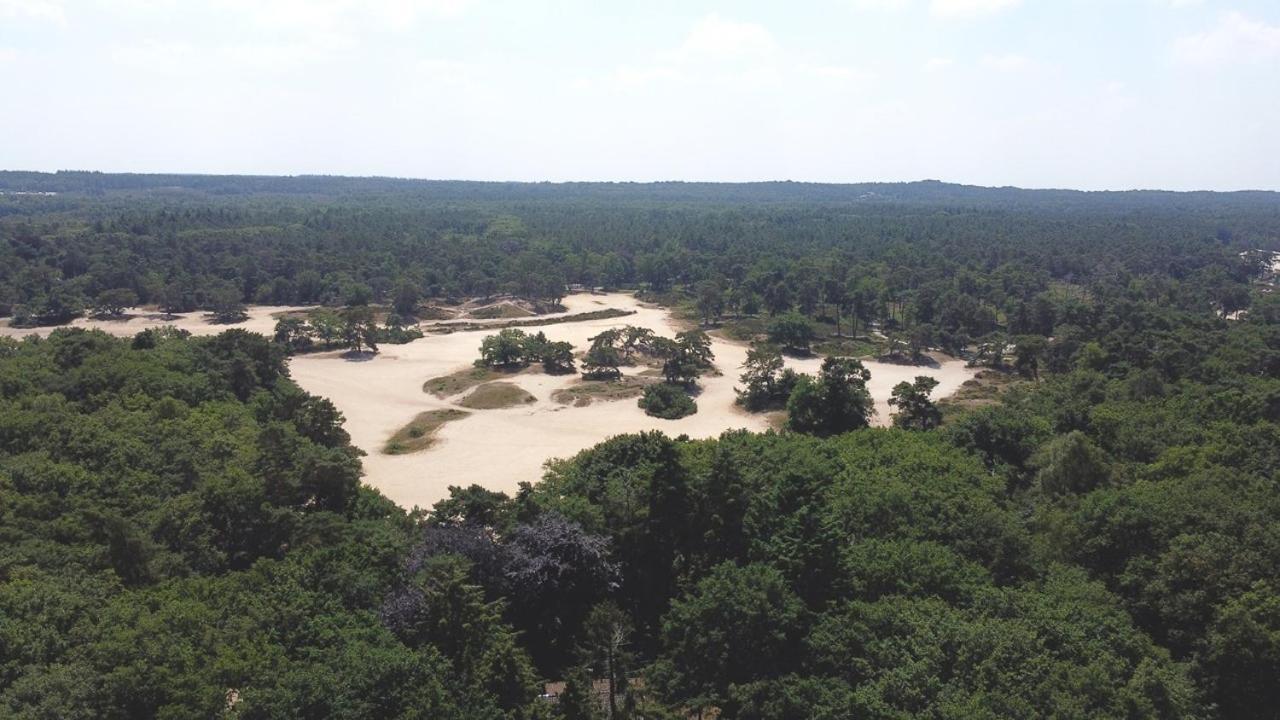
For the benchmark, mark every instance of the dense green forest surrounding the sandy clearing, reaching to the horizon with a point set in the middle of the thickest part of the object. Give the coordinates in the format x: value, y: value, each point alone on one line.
x: 185, y: 534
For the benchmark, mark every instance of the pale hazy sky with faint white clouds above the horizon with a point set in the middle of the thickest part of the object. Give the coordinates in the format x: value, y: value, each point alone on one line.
x: 1084, y: 94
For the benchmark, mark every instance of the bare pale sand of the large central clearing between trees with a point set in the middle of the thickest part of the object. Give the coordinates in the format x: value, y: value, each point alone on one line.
x: 500, y: 449
